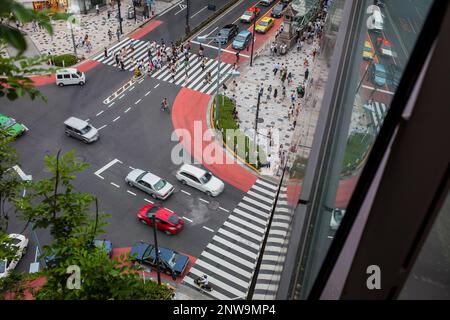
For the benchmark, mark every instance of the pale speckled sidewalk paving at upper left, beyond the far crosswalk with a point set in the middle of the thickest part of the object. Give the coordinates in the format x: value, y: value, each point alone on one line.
x: 96, y: 26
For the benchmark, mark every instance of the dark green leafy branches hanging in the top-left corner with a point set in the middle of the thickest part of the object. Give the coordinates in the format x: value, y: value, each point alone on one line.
x: 15, y: 71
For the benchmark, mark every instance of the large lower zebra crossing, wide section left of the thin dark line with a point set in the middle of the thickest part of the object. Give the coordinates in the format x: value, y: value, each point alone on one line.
x: 230, y: 258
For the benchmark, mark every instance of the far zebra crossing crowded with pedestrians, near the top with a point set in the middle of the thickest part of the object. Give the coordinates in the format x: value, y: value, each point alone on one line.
x: 193, y: 79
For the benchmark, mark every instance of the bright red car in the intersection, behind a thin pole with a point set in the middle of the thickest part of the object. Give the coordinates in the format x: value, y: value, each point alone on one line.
x: 166, y: 220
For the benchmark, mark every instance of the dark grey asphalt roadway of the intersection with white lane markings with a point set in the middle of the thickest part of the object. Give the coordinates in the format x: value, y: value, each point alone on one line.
x: 137, y: 133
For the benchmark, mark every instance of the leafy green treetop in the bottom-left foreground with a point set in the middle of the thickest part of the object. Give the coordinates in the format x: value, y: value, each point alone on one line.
x: 54, y: 203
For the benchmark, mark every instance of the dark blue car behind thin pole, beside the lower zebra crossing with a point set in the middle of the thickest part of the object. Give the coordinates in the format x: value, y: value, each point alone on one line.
x: 171, y: 262
